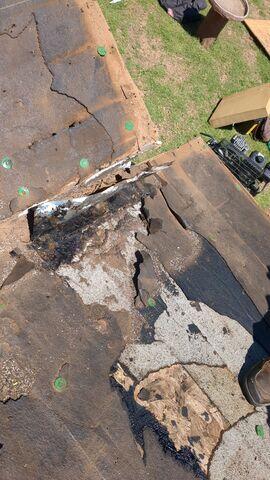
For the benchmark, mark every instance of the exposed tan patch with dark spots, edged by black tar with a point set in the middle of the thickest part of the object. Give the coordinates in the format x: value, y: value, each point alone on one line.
x: 171, y: 392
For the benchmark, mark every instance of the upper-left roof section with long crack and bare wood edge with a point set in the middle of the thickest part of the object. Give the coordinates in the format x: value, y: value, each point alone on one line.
x: 65, y: 110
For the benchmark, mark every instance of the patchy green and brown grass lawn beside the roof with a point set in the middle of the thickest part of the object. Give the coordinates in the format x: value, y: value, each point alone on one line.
x: 181, y: 81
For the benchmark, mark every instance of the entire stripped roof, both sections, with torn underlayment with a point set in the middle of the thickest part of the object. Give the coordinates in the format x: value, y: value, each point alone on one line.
x: 132, y: 297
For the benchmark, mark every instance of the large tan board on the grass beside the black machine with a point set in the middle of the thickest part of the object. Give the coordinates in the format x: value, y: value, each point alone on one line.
x: 242, y: 106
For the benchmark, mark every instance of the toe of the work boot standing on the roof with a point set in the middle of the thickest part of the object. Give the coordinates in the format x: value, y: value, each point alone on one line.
x: 256, y: 384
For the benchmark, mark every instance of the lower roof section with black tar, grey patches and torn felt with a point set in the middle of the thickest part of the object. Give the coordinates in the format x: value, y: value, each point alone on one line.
x: 121, y: 359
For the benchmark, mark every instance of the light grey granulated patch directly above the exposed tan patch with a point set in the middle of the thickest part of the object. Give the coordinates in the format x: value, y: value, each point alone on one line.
x: 214, y: 342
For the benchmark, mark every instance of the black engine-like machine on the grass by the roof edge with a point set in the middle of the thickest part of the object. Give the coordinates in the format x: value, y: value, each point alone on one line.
x: 250, y: 170
